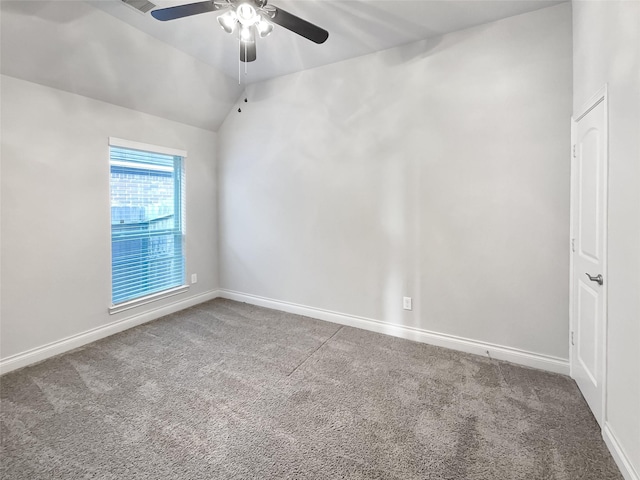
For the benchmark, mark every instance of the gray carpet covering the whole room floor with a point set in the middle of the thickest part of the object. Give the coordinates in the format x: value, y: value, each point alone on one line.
x: 226, y: 390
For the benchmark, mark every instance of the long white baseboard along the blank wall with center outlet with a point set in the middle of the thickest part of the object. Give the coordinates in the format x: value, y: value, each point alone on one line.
x: 514, y: 355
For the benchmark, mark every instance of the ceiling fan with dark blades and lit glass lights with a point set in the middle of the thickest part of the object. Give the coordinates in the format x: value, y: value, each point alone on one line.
x: 246, y: 18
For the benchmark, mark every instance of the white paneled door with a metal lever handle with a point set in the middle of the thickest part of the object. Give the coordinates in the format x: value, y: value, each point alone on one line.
x: 589, y: 232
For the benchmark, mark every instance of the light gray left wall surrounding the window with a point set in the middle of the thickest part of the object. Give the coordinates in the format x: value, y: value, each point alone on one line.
x: 56, y: 249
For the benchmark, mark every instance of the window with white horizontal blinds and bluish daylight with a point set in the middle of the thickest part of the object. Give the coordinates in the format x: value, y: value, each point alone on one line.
x: 147, y: 222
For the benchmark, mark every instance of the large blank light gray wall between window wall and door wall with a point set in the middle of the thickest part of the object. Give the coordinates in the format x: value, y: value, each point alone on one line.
x: 438, y: 170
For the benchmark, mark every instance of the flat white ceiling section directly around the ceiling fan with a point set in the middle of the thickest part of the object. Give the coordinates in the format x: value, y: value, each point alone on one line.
x: 356, y: 27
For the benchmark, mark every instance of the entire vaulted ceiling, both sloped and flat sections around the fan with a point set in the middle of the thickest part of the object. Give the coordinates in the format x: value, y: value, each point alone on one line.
x: 187, y: 70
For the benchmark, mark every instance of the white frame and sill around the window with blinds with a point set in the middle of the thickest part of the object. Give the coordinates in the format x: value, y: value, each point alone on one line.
x: 153, y: 297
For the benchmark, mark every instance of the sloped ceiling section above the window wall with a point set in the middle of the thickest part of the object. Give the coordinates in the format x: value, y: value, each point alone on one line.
x: 71, y: 46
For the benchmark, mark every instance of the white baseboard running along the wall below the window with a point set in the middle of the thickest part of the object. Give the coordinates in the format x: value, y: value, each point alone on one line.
x: 37, y: 354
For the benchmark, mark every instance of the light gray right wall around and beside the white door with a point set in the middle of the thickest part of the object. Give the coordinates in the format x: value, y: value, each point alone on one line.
x: 606, y: 37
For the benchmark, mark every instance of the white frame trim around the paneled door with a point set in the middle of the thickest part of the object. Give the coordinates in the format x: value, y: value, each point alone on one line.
x: 601, y: 96
